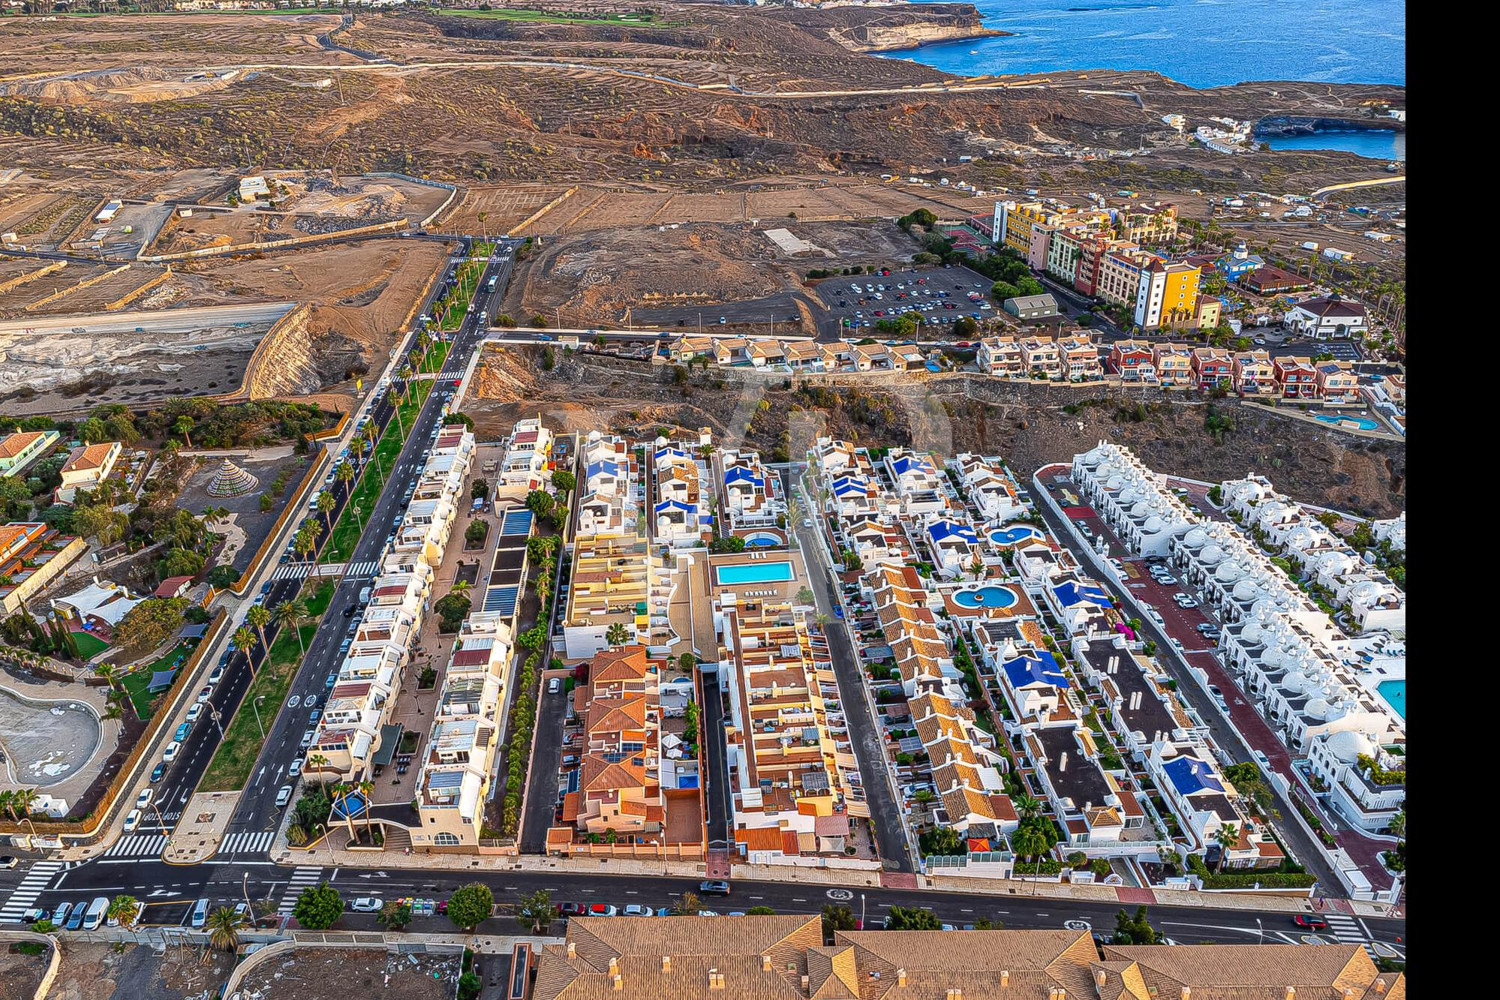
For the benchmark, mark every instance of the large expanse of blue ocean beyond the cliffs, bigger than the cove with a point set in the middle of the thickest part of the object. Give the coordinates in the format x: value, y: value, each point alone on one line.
x: 1199, y: 43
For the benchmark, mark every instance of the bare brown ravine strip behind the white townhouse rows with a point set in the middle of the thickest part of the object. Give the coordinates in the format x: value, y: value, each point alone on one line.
x: 1030, y: 427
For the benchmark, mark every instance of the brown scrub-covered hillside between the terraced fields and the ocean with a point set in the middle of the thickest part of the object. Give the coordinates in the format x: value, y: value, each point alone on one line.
x: 701, y: 97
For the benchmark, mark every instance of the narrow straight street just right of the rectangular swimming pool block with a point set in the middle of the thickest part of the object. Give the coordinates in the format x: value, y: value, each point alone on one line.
x: 854, y: 696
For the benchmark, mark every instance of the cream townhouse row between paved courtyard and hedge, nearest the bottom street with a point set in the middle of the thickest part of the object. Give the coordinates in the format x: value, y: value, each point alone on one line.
x: 458, y: 762
